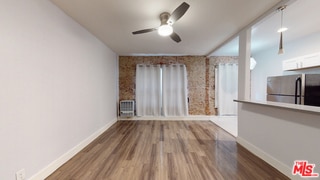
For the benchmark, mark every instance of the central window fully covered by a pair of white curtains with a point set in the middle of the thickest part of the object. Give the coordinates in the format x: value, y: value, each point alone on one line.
x: 161, y: 90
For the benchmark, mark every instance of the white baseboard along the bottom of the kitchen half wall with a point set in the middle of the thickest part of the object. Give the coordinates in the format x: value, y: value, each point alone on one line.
x: 267, y: 158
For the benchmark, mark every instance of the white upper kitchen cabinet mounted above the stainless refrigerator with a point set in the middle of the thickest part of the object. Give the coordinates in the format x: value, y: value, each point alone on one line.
x: 307, y: 61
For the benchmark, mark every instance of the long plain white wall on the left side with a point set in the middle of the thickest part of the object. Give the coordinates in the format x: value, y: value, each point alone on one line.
x: 57, y: 85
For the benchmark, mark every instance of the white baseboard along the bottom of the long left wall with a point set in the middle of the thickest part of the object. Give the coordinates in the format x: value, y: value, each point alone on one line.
x: 45, y: 172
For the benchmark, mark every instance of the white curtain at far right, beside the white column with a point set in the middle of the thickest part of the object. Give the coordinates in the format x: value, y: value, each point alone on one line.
x: 226, y: 82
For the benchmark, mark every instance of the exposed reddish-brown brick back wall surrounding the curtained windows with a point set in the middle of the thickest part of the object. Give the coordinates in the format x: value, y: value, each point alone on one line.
x: 200, y: 70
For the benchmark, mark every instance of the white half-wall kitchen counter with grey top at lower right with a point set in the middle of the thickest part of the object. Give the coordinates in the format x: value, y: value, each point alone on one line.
x: 272, y: 129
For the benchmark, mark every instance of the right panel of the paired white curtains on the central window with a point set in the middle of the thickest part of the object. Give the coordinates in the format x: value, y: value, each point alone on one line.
x: 174, y: 90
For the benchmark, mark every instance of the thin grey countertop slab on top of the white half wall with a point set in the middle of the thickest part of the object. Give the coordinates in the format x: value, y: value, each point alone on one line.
x: 305, y: 108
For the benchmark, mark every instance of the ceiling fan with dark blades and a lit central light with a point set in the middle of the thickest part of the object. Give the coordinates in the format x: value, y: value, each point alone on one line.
x: 167, y: 20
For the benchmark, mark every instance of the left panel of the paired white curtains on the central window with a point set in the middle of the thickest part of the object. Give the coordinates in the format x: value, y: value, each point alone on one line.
x: 148, y: 90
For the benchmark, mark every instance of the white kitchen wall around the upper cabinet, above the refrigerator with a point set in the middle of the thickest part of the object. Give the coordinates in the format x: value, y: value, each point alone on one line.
x: 269, y: 63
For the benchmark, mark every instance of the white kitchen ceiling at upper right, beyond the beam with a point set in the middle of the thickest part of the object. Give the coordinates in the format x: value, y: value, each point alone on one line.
x: 300, y: 17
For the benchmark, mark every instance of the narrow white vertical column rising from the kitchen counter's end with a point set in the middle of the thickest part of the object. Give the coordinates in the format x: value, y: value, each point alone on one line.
x: 244, y: 64
